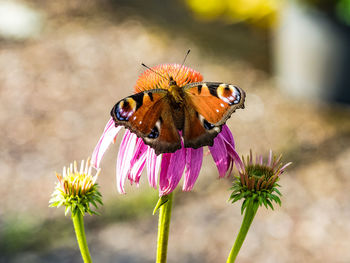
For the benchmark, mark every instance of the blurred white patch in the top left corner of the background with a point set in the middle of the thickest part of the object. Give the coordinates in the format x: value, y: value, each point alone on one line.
x: 18, y: 21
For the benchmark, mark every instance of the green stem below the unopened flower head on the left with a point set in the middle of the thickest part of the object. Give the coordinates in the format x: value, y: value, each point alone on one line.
x: 78, y: 223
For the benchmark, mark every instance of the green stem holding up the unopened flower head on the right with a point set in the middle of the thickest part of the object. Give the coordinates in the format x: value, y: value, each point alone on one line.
x: 249, y: 215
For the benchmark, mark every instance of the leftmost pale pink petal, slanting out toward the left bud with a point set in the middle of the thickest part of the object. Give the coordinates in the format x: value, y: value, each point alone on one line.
x: 107, y: 137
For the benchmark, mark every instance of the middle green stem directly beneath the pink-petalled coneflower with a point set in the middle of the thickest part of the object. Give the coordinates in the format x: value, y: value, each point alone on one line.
x: 163, y: 227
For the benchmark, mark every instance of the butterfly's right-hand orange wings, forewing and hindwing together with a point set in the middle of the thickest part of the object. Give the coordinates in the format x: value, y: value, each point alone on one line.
x: 208, y: 106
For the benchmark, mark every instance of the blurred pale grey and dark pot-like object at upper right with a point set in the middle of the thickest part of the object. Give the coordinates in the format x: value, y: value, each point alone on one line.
x: 312, y: 54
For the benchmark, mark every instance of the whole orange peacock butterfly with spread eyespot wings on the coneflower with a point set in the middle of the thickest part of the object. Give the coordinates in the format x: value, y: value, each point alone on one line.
x: 196, y: 110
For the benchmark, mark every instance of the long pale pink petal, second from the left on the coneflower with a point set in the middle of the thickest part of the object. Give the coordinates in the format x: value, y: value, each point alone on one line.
x: 125, y: 156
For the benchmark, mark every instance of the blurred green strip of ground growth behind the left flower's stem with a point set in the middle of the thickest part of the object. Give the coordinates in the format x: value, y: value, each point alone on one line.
x: 19, y: 234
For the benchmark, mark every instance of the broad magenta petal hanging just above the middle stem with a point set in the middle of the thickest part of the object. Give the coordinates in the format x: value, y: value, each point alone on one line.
x: 173, y: 165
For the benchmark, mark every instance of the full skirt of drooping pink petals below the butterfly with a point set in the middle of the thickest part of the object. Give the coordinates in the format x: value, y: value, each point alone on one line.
x: 134, y: 155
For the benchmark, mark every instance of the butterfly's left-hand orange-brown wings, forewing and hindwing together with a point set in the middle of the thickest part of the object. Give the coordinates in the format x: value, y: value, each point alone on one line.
x: 148, y: 115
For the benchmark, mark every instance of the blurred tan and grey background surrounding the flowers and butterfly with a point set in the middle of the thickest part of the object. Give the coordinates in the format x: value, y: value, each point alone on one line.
x: 64, y: 64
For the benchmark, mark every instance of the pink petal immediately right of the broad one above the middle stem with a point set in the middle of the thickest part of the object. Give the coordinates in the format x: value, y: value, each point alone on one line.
x: 194, y: 158
